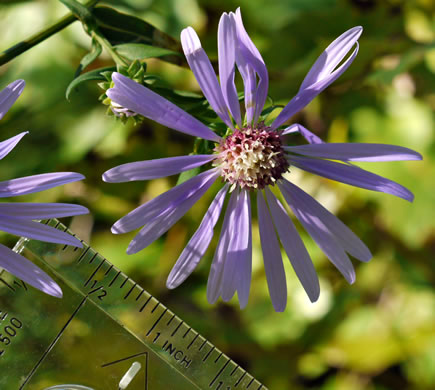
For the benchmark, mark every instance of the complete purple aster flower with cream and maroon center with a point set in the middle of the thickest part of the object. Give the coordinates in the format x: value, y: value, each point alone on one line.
x: 250, y: 159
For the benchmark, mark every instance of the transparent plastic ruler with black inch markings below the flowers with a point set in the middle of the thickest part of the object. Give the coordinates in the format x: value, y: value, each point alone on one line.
x: 104, y: 323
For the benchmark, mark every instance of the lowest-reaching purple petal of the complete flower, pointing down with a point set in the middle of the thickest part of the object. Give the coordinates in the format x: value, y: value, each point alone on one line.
x: 272, y: 259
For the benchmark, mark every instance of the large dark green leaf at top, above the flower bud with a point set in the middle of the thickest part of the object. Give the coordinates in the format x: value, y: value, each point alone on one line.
x: 120, y: 28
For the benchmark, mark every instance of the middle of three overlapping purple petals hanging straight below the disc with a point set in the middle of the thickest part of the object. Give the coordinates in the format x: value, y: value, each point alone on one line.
x: 237, y: 249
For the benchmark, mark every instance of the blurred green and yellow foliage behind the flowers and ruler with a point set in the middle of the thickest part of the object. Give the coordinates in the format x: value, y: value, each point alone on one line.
x: 377, y: 334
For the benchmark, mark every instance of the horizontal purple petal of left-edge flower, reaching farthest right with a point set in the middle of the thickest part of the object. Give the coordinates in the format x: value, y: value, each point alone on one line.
x: 40, y: 210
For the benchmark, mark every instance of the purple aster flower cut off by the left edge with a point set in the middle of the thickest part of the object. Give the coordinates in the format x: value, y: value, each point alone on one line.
x: 20, y: 218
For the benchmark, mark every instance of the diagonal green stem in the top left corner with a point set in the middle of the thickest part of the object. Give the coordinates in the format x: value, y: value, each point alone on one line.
x: 41, y: 36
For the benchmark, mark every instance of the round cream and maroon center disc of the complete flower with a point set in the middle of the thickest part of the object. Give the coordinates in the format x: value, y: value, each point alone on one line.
x: 252, y: 157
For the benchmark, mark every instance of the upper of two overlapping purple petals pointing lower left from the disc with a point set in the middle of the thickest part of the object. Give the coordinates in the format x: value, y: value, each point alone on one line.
x: 168, y: 200
